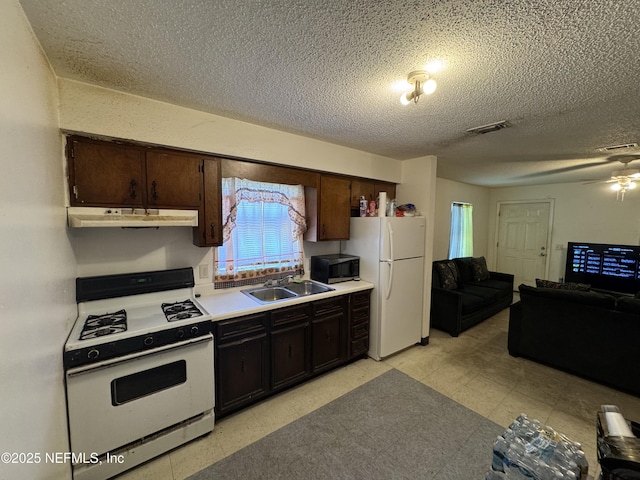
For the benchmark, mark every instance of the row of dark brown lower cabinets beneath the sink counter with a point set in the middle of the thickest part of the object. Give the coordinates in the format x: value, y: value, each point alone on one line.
x: 257, y: 355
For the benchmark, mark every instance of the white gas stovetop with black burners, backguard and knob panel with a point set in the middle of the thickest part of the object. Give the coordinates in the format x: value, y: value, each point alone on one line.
x: 124, y: 314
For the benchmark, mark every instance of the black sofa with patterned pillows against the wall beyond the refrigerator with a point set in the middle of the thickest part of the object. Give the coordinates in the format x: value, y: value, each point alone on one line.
x: 475, y: 295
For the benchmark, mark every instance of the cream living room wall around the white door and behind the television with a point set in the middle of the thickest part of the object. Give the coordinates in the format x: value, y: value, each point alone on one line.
x: 583, y: 213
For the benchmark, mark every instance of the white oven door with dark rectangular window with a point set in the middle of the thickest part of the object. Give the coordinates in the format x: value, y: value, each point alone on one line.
x: 118, y: 401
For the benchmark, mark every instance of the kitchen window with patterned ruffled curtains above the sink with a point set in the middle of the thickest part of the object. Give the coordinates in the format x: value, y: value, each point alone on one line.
x: 263, y: 224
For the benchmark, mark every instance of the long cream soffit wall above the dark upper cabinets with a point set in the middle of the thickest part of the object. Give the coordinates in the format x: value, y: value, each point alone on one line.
x: 90, y: 109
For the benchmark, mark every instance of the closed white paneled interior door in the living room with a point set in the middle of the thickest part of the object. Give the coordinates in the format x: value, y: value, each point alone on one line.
x: 523, y: 240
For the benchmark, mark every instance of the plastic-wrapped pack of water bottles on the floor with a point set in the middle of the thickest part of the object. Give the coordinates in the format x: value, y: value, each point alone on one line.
x: 528, y: 450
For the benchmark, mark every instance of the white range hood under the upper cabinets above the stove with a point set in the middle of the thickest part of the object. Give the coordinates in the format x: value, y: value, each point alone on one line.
x: 82, y: 217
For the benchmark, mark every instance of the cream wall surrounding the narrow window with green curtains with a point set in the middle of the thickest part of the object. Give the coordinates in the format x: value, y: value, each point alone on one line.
x: 447, y: 192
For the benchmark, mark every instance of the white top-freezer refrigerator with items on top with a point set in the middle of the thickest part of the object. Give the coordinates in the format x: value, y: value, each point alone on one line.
x: 391, y: 251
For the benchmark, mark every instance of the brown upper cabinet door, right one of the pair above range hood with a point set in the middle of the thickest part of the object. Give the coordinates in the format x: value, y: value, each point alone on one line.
x: 174, y: 179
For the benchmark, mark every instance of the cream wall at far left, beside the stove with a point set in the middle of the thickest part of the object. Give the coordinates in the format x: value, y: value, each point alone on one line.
x: 37, y: 305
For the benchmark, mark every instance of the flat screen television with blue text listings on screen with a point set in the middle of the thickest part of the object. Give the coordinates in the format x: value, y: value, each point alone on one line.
x: 604, y: 266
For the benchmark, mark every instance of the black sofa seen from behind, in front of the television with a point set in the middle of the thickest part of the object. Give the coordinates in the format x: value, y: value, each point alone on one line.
x: 592, y: 334
